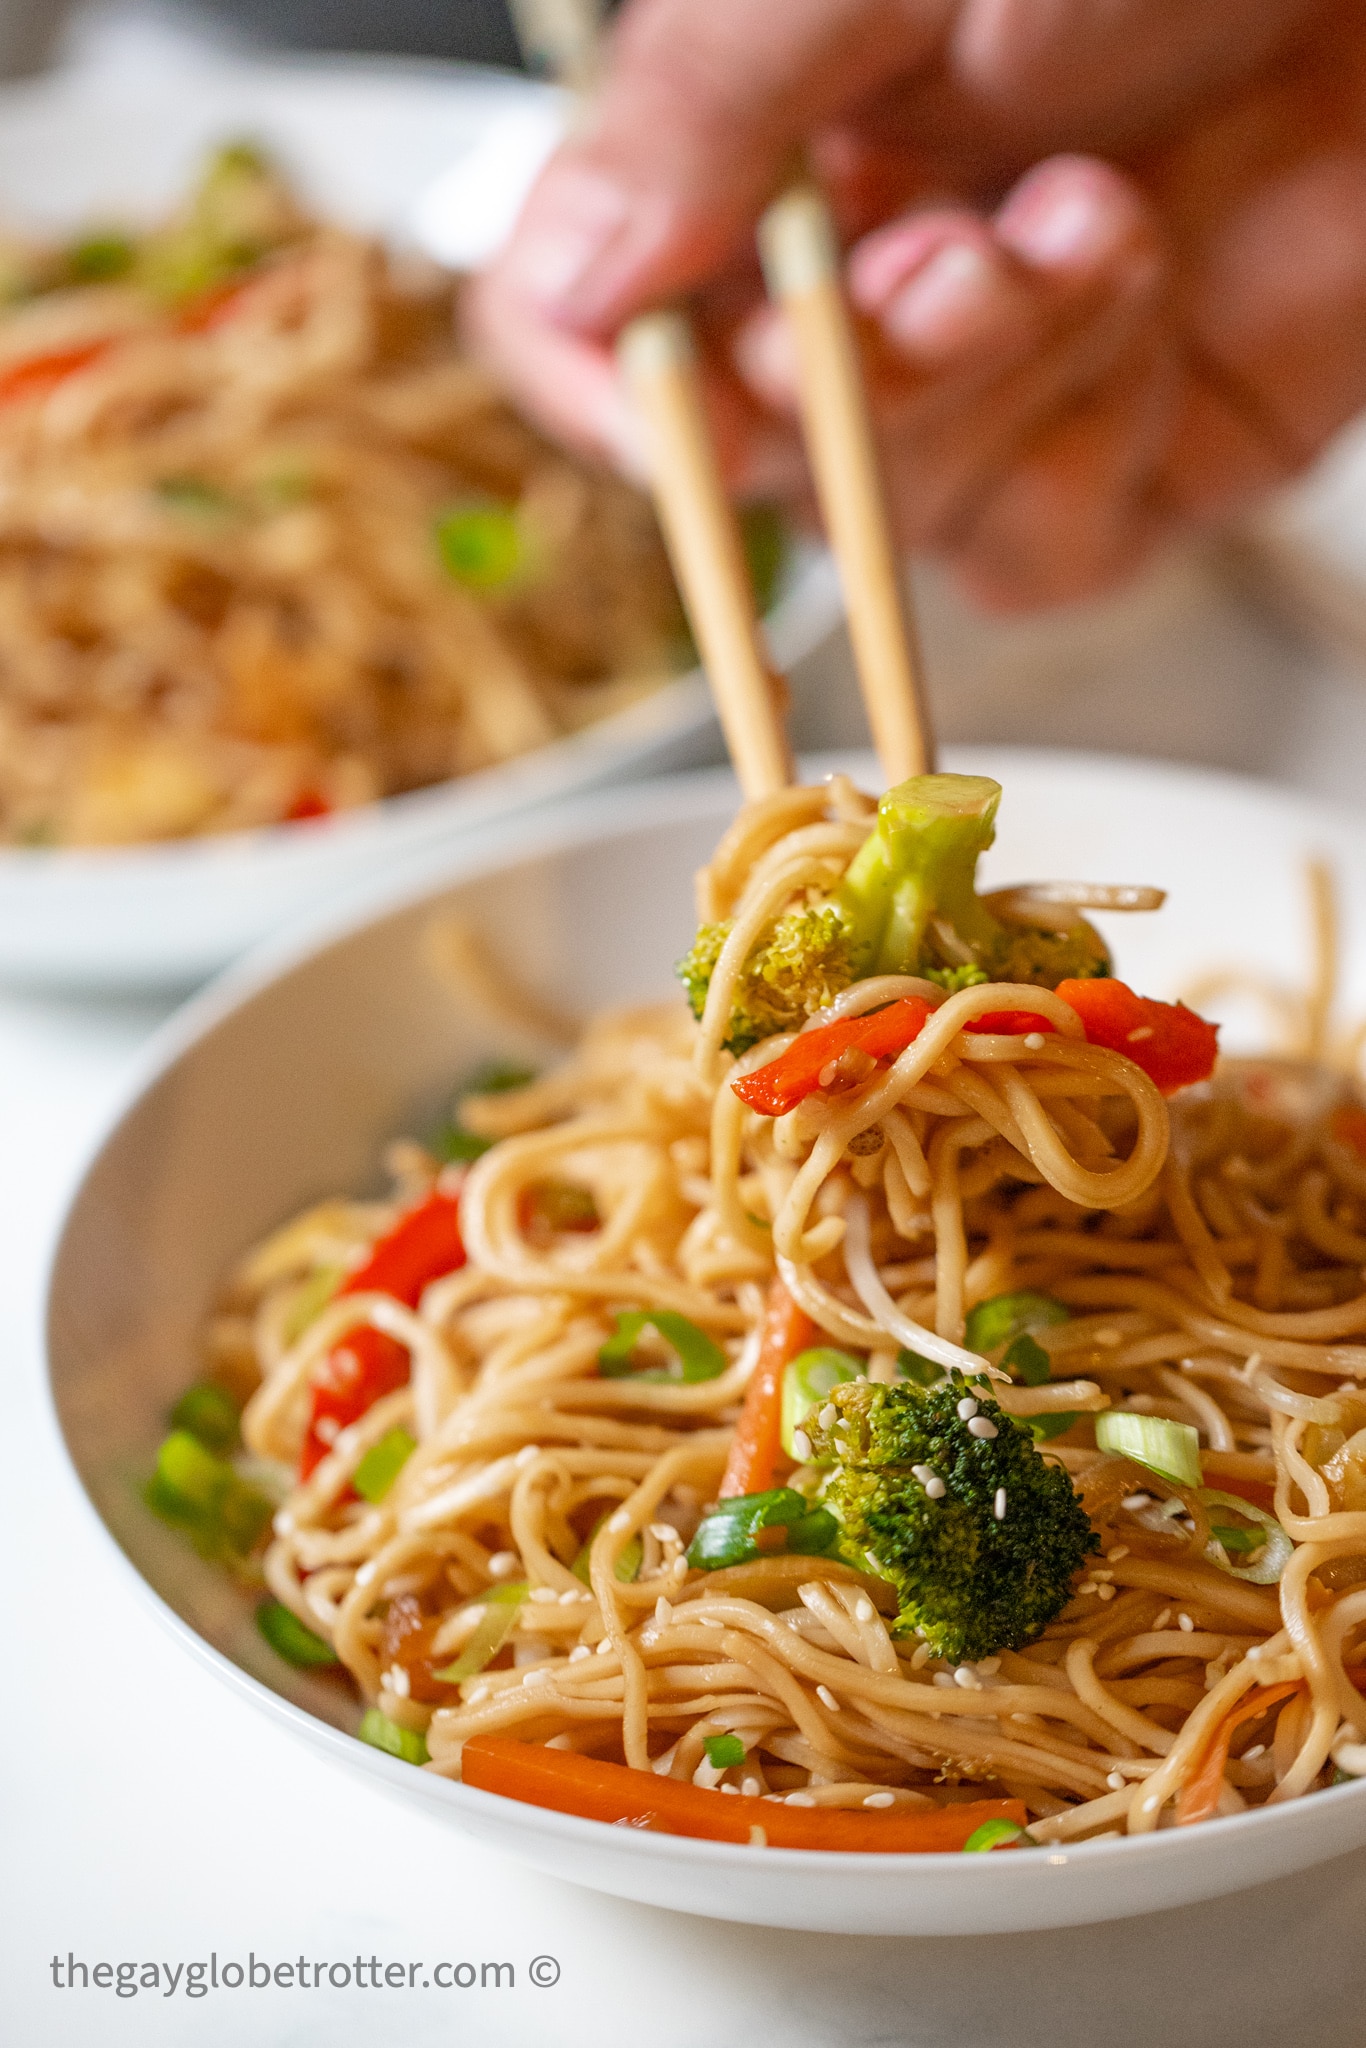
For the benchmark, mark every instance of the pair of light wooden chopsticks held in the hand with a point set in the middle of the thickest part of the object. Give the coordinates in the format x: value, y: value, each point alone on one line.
x: 802, y: 269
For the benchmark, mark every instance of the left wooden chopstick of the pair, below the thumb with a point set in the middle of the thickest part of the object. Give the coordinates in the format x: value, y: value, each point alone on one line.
x: 703, y: 540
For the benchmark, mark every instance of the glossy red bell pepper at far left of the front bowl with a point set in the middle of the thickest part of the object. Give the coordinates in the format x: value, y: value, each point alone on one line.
x: 423, y: 1246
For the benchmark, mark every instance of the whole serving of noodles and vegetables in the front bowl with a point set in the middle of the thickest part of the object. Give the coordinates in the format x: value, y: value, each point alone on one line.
x: 912, y: 1402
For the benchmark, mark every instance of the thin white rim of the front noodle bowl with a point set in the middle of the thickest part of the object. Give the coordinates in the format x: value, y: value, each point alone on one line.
x: 589, y: 818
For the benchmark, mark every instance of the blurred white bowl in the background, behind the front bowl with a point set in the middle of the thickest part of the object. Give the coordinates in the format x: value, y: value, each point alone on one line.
x: 366, y: 142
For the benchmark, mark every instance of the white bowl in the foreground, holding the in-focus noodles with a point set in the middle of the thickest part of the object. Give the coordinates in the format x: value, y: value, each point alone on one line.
x: 286, y: 1082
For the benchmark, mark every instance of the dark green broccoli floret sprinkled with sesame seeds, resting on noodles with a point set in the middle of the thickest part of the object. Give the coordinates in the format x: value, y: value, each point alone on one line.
x: 968, y: 1580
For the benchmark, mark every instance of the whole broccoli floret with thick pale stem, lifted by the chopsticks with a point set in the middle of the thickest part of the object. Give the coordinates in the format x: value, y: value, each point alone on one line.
x: 906, y: 906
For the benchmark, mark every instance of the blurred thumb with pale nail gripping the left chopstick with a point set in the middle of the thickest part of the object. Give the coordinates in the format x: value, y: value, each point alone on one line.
x: 697, y: 118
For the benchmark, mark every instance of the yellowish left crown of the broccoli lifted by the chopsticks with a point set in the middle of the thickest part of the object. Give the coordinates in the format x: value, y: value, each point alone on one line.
x: 796, y: 972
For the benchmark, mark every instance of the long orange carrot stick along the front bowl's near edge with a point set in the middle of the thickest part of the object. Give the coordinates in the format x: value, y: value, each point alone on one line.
x: 595, y: 1791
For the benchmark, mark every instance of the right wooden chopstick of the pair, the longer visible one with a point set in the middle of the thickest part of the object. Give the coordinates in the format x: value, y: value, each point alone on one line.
x: 802, y: 269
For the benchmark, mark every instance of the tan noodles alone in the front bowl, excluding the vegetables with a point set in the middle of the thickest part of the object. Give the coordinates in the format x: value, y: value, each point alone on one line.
x: 1211, y: 1254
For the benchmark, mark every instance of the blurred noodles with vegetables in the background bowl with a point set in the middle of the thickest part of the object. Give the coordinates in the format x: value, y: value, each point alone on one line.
x: 271, y: 546
